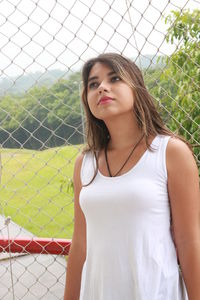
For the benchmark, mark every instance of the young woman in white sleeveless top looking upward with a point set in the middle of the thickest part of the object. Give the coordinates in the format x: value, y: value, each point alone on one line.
x: 137, y: 206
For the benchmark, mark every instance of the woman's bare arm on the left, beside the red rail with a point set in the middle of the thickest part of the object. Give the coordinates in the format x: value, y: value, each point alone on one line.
x: 77, y: 252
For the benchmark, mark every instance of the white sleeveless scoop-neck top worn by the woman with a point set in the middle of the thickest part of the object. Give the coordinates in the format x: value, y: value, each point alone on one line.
x: 130, y: 251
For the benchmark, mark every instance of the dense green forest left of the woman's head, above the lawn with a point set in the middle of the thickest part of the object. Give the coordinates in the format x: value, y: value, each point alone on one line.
x: 42, y: 117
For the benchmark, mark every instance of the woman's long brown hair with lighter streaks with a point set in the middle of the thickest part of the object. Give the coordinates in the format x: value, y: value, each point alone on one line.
x: 148, y: 119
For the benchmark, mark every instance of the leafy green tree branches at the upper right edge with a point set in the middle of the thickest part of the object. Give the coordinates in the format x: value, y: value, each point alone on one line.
x: 179, y: 83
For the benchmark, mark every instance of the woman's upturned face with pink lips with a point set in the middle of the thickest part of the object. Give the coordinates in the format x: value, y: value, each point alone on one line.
x: 108, y: 95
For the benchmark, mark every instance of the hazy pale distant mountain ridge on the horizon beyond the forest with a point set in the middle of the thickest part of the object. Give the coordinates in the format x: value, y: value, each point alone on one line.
x: 20, y: 84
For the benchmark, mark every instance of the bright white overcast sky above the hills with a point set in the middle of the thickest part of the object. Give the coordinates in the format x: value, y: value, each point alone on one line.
x: 39, y: 35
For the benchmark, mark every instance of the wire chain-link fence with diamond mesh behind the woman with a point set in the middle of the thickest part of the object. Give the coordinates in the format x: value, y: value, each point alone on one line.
x: 43, y: 45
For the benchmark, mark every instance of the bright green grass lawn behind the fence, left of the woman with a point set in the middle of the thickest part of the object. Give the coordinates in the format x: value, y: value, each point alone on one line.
x: 30, y: 190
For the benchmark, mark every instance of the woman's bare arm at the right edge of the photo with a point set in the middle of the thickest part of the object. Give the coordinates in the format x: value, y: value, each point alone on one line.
x: 183, y: 188
